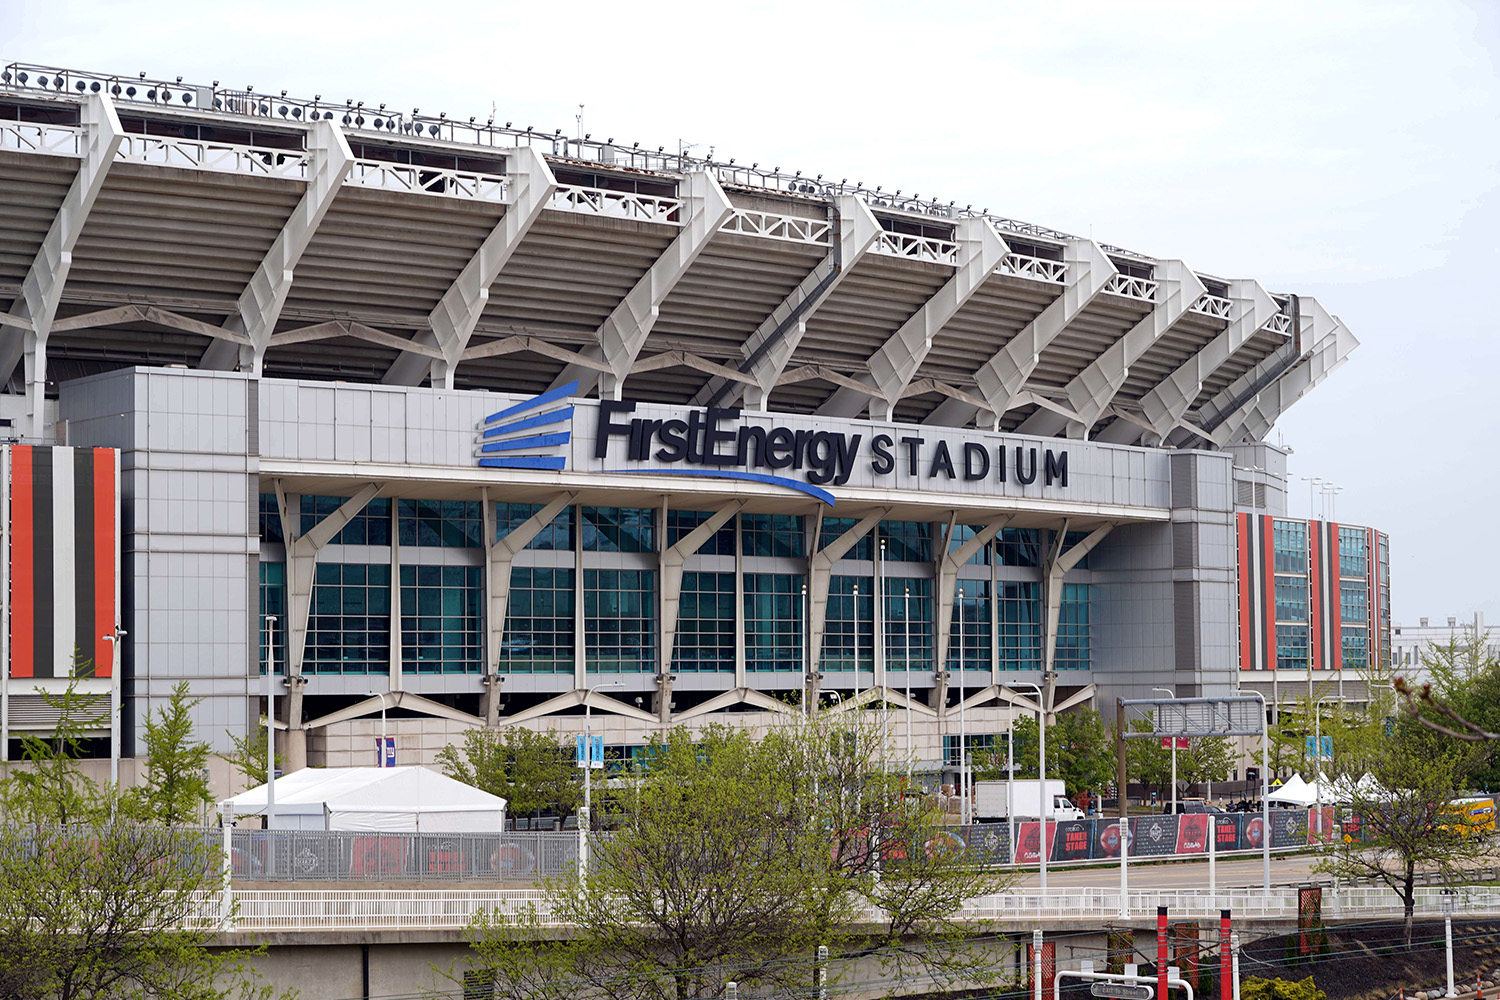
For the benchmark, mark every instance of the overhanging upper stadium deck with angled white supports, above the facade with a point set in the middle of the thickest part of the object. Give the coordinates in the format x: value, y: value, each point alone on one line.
x: 154, y: 223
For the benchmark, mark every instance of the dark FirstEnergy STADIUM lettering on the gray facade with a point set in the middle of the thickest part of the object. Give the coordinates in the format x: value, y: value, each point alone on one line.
x: 715, y: 442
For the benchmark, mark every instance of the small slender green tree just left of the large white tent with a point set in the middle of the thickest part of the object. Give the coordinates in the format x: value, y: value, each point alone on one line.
x: 176, y: 788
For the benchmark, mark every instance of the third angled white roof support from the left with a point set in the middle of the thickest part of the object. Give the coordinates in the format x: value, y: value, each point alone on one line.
x: 530, y: 184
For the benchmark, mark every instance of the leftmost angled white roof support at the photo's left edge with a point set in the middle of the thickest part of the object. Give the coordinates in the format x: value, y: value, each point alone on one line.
x: 29, y: 322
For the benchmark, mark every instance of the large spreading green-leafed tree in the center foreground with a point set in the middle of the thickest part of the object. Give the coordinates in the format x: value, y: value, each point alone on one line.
x: 737, y: 858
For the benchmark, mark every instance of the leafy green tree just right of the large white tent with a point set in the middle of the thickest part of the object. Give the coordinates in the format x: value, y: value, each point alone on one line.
x: 530, y: 770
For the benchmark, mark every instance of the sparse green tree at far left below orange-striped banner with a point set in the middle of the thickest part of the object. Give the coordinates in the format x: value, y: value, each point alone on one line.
x: 47, y: 786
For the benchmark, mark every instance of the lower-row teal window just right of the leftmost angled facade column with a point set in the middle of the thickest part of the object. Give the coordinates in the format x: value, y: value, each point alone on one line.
x: 349, y: 630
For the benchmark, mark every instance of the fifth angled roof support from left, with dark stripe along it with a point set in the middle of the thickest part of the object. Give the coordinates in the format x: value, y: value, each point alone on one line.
x: 770, y: 349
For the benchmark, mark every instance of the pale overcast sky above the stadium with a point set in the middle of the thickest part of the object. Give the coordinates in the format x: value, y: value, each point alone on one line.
x: 1340, y: 151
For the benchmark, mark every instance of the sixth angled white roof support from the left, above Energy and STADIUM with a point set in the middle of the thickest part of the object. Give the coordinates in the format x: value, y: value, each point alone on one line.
x: 899, y: 359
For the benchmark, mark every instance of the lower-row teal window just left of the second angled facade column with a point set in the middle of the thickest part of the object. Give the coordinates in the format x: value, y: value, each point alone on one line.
x: 442, y: 620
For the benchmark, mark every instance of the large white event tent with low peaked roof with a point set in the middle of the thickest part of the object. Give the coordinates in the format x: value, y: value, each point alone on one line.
x: 376, y: 800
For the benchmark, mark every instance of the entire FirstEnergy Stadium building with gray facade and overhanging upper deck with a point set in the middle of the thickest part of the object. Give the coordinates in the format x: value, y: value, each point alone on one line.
x: 458, y: 425
